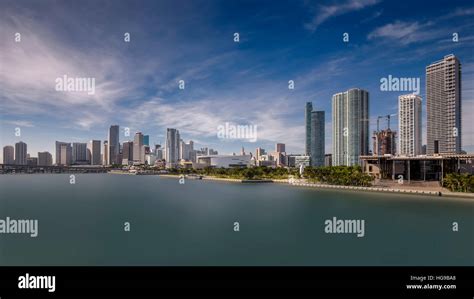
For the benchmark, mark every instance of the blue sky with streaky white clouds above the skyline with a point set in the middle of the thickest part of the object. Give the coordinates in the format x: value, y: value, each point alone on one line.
x: 241, y: 83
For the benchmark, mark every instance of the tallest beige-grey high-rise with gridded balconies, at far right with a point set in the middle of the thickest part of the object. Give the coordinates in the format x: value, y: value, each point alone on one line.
x: 443, y: 104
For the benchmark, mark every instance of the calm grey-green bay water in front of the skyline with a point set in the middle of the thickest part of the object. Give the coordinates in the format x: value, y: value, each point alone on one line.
x: 193, y: 224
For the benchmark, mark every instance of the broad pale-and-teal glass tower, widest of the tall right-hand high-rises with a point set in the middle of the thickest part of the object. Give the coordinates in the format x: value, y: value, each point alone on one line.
x: 350, y: 126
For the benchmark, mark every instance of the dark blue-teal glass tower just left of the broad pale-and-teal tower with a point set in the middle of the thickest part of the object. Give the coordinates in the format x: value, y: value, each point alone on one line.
x: 317, y: 149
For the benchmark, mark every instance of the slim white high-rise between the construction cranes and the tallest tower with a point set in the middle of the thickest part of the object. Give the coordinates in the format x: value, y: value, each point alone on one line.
x: 409, y: 124
